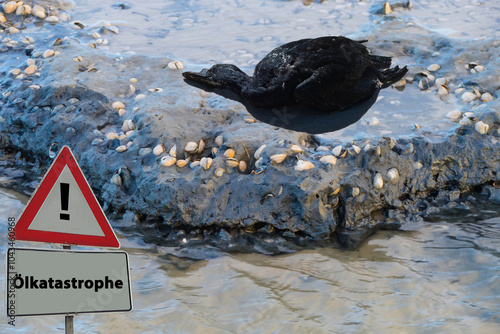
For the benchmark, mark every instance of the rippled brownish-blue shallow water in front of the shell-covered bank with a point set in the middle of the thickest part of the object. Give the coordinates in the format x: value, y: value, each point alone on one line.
x: 443, y: 277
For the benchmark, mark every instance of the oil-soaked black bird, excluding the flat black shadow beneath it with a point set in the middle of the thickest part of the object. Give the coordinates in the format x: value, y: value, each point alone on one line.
x: 326, y: 73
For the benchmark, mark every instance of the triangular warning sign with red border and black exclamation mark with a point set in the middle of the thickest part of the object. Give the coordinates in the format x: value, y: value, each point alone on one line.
x: 64, y: 209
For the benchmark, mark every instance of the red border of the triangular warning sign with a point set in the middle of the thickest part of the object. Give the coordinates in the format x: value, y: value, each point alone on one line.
x: 22, y: 231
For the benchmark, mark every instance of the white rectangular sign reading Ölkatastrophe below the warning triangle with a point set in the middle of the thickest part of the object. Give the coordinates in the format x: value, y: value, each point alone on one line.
x: 43, y: 281
